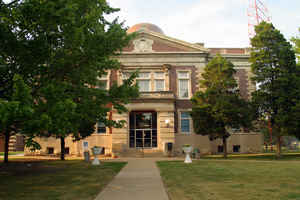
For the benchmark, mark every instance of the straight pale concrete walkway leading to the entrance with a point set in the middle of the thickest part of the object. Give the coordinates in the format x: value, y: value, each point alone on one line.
x: 138, y: 180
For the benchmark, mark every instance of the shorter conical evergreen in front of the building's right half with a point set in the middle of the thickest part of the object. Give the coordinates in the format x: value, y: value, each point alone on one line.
x: 218, y: 107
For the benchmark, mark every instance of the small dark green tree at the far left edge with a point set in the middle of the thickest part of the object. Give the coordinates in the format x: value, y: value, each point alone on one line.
x: 15, y: 112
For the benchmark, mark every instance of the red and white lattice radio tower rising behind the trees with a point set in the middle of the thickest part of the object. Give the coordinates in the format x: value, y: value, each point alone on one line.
x: 257, y: 12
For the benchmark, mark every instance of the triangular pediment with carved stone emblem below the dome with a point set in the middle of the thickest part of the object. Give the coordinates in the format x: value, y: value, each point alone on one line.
x: 151, y: 42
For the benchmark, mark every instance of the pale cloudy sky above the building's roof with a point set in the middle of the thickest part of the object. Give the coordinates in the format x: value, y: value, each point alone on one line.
x: 216, y: 23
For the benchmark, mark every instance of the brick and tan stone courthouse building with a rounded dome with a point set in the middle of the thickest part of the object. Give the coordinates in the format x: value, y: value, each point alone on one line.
x: 169, y: 74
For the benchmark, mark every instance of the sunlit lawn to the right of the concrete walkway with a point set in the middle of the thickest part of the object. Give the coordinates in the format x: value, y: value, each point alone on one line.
x: 231, y: 180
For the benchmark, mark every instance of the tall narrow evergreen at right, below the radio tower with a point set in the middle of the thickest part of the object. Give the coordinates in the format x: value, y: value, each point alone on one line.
x: 274, y: 67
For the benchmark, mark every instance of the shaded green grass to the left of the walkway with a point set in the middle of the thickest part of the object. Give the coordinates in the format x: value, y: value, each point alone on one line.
x: 55, y: 180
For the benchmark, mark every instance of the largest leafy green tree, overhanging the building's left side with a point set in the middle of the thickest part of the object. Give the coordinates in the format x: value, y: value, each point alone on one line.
x: 68, y: 45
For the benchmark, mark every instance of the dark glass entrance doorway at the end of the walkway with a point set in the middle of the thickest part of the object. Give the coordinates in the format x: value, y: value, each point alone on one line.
x: 143, y: 130
